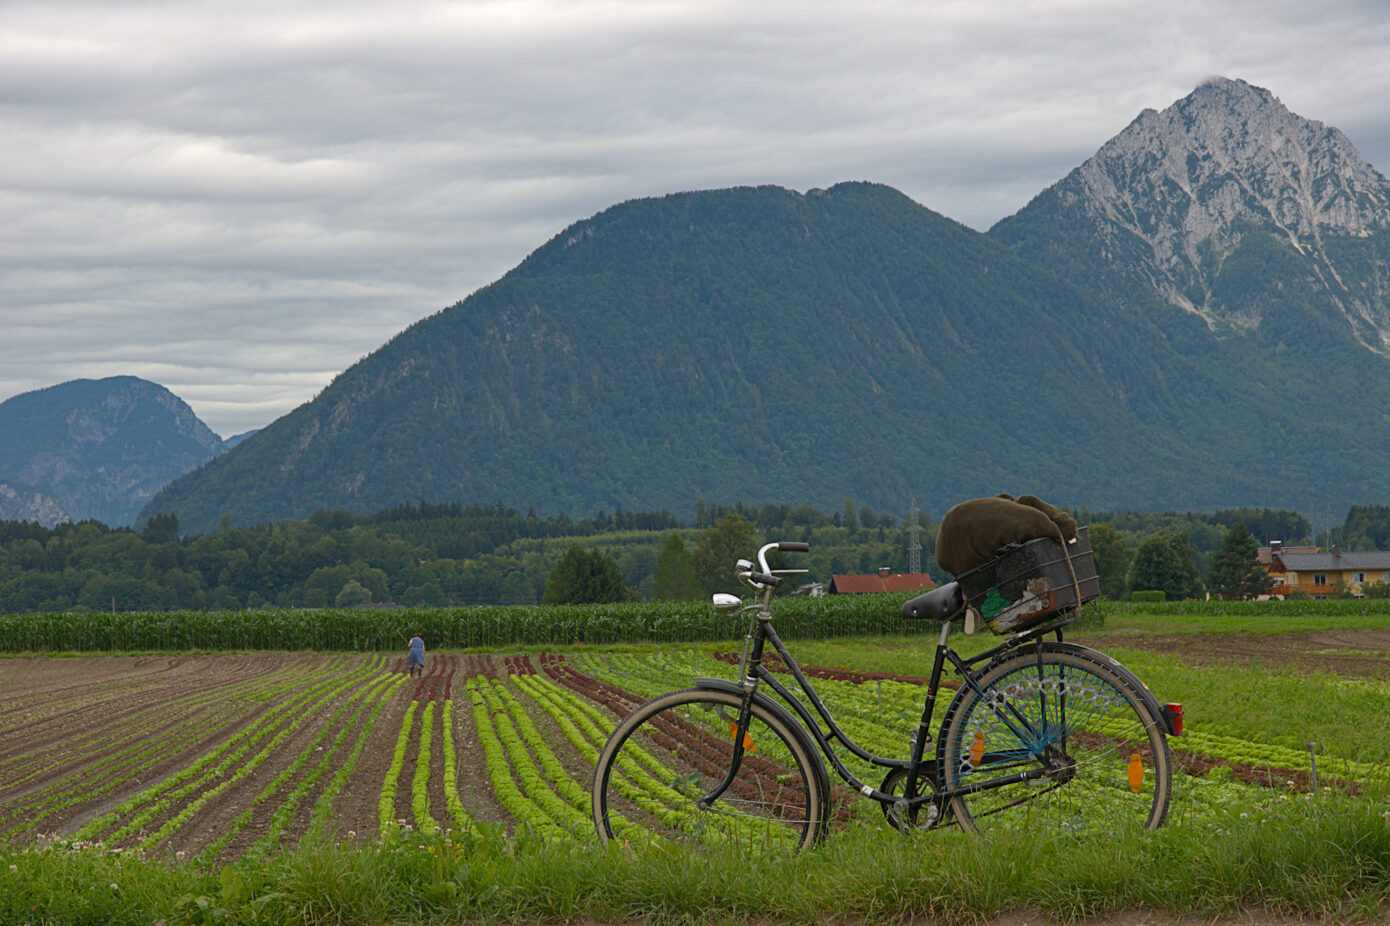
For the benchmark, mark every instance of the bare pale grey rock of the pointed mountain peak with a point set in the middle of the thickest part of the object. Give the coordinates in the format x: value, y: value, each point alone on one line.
x: 1193, y: 180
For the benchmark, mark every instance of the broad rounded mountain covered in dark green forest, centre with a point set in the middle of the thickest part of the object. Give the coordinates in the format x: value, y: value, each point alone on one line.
x: 755, y: 344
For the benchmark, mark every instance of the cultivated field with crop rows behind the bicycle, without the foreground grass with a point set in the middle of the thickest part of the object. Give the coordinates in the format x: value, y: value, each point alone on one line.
x: 212, y: 758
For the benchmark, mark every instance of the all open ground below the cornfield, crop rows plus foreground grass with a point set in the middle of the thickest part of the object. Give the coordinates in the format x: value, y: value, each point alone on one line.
x: 305, y: 788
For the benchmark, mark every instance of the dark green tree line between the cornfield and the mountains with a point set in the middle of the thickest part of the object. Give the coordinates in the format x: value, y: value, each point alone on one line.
x: 451, y: 554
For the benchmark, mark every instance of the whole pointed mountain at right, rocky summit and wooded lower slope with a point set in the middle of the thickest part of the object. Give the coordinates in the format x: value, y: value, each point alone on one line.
x: 1259, y: 243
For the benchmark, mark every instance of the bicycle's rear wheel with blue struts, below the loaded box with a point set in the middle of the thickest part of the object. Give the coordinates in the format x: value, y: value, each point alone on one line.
x: 1057, y: 738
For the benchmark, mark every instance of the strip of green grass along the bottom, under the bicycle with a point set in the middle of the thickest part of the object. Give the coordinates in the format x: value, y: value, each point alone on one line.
x: 1324, y: 857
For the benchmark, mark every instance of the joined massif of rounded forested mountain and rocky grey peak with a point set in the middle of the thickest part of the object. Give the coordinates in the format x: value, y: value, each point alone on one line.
x: 1193, y: 319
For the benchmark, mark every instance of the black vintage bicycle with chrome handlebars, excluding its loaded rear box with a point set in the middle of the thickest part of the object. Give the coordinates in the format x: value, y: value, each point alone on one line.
x: 1039, y: 733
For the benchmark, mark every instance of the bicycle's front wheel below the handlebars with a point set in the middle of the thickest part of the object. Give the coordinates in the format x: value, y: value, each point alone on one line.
x: 654, y: 778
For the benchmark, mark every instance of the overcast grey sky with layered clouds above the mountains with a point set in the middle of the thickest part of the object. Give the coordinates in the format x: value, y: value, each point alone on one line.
x: 241, y: 200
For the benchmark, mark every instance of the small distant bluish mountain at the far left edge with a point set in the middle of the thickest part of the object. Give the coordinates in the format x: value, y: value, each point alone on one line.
x: 95, y: 450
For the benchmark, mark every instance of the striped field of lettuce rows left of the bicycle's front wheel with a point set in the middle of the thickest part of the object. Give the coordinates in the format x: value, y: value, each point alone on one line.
x: 215, y: 757
